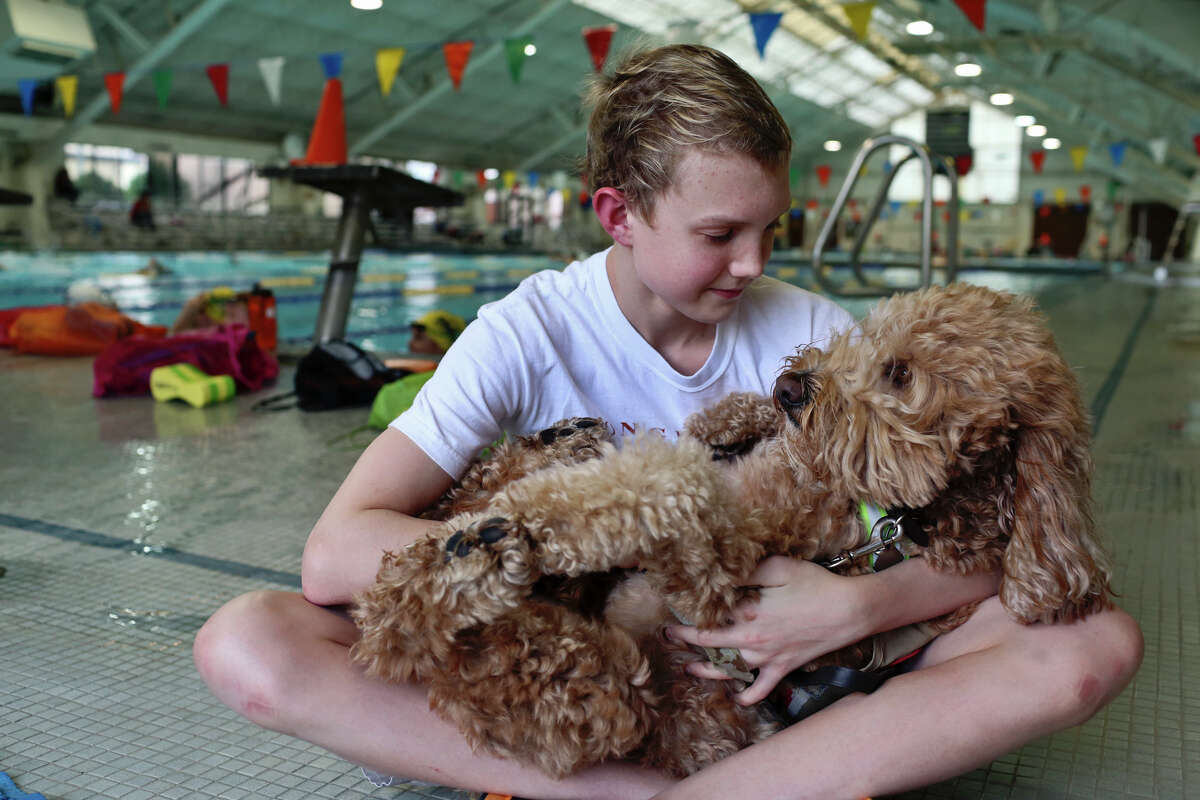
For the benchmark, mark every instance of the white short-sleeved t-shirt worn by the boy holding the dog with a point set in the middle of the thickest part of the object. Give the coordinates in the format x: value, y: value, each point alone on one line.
x: 559, y: 346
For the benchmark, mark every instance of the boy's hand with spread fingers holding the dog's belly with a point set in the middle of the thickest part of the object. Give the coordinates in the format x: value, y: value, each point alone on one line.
x: 805, y: 611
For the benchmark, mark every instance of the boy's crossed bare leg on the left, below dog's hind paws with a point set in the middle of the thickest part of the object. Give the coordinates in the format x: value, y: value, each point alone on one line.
x: 284, y: 664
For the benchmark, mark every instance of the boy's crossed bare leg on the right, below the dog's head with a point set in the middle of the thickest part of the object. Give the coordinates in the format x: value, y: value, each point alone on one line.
x: 982, y: 691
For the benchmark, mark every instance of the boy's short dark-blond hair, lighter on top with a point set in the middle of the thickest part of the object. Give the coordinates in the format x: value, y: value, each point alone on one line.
x: 663, y: 101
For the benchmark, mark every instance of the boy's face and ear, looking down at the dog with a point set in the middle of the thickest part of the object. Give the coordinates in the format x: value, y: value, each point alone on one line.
x: 712, y: 234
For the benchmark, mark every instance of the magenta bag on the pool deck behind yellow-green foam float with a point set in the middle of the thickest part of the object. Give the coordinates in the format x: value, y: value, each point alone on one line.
x: 124, y: 368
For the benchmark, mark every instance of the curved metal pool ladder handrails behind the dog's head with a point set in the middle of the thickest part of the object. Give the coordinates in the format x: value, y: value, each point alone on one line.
x: 932, y: 165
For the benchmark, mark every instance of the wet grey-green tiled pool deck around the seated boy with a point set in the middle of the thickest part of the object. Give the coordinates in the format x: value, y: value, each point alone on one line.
x: 125, y: 524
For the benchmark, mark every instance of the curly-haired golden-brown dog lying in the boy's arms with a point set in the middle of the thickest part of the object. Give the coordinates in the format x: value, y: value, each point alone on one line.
x: 951, y: 404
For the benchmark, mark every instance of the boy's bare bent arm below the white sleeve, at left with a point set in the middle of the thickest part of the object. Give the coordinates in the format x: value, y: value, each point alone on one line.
x: 371, y: 513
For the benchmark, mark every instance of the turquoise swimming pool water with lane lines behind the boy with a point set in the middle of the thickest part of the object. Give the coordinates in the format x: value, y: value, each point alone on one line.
x: 393, y: 290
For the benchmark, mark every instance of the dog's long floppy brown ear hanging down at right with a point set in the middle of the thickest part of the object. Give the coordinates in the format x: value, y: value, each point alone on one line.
x: 1055, y: 569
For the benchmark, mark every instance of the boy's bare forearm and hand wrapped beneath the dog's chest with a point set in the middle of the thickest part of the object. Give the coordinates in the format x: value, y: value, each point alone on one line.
x: 807, y: 611
